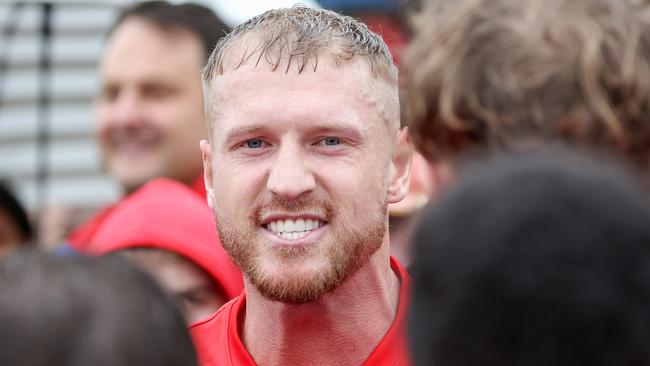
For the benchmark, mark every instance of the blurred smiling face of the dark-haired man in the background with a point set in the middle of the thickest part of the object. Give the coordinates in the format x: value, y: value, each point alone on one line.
x: 149, y: 113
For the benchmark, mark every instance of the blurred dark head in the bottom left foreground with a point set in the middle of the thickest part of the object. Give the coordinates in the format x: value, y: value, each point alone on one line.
x: 80, y: 311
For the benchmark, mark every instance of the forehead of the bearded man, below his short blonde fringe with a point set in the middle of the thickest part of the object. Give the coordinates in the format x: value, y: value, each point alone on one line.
x: 347, y: 92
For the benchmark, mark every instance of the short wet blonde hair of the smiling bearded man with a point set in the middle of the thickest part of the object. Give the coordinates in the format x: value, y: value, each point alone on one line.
x: 296, y: 36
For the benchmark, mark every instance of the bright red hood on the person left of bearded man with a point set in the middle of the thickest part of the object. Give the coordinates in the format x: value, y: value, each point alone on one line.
x: 168, y: 215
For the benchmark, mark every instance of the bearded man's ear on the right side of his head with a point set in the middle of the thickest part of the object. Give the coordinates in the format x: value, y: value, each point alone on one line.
x: 400, y: 172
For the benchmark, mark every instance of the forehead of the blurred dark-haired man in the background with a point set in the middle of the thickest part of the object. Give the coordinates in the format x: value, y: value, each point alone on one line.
x: 137, y: 49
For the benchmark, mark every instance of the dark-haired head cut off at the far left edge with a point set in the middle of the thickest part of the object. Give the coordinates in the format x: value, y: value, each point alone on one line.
x: 15, y: 228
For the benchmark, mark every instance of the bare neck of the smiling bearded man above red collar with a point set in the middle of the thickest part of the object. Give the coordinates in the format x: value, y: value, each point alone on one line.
x: 341, y: 328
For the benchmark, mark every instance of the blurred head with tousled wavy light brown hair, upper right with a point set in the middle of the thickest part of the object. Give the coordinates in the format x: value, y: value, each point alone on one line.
x: 488, y: 75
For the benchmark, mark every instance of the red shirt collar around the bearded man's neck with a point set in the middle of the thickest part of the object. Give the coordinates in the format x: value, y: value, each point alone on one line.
x: 218, y: 343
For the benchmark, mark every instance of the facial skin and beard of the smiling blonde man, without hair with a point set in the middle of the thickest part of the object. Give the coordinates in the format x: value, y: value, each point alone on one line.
x: 318, y: 146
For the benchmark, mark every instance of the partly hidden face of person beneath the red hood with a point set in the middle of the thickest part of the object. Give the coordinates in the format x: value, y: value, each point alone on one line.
x: 189, y: 286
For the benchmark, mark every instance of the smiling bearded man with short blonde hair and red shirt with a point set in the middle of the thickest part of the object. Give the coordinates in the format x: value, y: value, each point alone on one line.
x: 305, y: 151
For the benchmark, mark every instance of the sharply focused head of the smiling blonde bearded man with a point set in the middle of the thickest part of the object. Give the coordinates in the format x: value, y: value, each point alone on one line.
x: 305, y: 149
